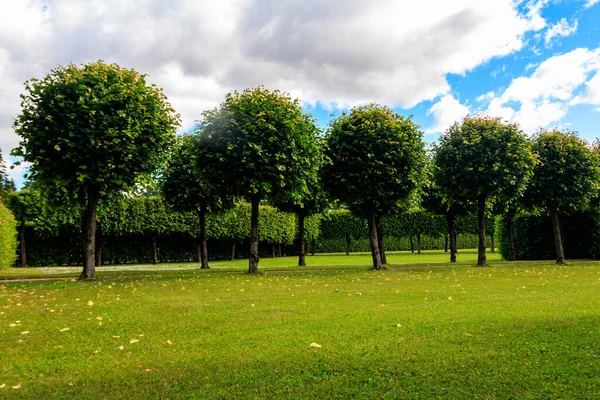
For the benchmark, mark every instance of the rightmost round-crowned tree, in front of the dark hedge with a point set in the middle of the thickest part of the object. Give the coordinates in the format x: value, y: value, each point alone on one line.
x: 565, y: 179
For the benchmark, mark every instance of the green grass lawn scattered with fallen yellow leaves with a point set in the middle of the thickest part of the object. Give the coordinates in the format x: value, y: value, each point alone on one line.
x: 528, y: 330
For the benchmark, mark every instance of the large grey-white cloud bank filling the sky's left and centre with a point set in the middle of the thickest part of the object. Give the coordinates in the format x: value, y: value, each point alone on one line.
x: 338, y: 52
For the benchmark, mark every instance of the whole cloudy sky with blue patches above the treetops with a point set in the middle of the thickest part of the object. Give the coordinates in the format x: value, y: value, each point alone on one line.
x: 536, y: 62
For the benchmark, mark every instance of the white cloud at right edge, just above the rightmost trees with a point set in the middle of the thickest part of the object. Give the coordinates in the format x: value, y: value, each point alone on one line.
x: 544, y: 97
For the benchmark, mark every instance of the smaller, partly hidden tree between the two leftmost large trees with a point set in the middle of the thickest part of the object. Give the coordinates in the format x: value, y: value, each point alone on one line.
x: 186, y: 187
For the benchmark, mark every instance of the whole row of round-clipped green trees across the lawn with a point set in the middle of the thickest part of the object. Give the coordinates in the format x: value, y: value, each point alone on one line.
x: 95, y: 130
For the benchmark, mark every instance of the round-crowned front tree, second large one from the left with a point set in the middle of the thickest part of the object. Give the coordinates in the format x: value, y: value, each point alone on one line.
x: 262, y: 143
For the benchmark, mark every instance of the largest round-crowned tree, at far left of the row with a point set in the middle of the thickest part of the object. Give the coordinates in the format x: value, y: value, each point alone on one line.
x: 90, y: 131
